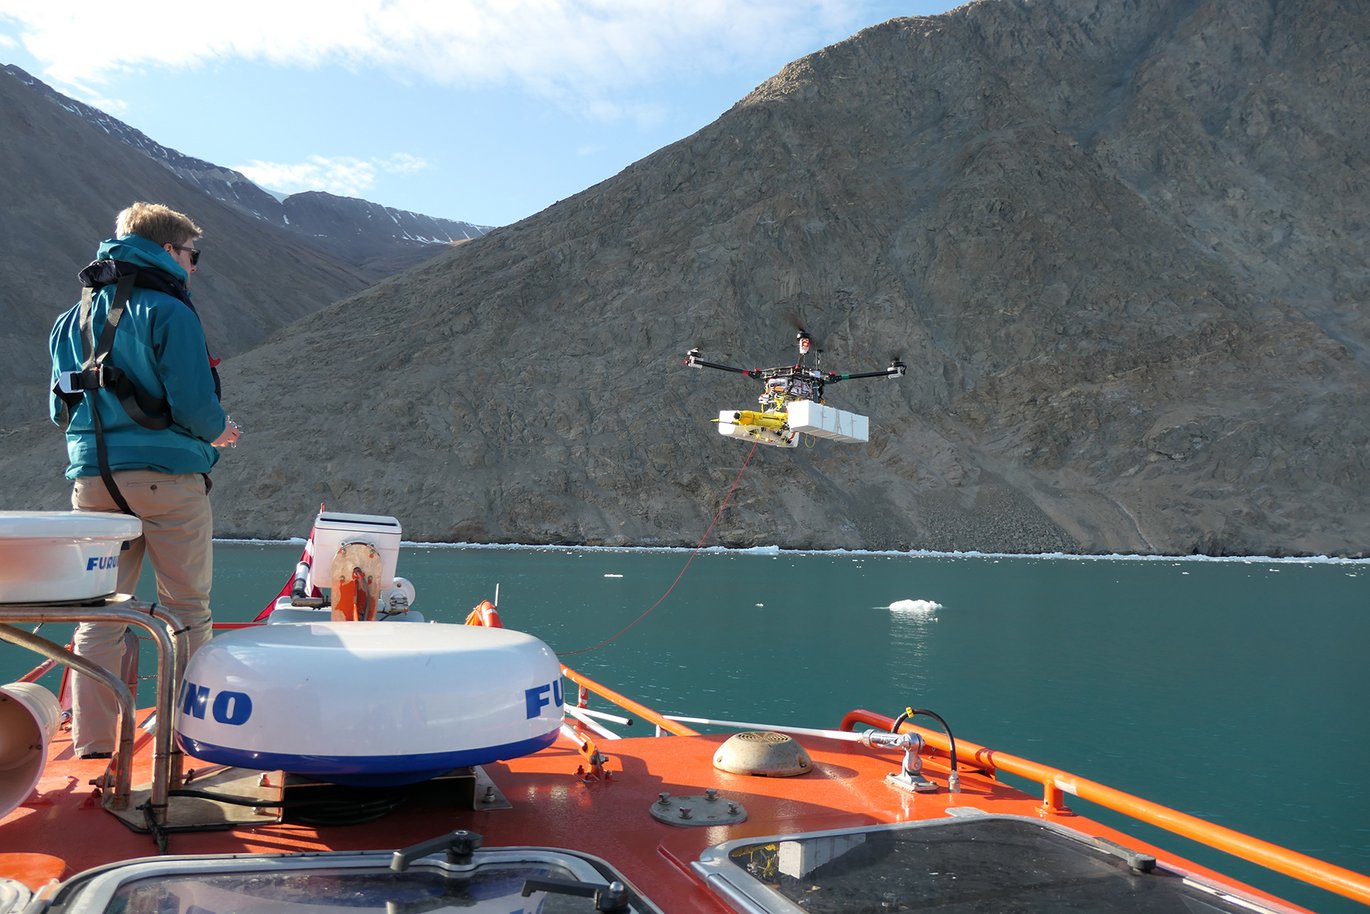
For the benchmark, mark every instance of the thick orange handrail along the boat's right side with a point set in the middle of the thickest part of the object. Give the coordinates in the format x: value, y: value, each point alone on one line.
x: 1056, y: 782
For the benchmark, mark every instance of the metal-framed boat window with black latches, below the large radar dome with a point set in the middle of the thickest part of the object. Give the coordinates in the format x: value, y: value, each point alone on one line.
x: 494, y: 883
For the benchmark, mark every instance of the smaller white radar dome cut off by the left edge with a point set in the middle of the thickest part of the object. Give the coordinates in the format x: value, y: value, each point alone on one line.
x: 62, y: 557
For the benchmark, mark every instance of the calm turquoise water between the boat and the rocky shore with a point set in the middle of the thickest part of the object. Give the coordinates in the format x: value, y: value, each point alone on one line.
x: 1231, y: 690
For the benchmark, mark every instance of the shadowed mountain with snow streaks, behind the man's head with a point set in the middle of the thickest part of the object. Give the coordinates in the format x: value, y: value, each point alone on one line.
x: 69, y: 169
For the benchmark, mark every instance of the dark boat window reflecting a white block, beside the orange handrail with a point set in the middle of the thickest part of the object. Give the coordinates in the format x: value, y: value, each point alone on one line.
x: 971, y: 864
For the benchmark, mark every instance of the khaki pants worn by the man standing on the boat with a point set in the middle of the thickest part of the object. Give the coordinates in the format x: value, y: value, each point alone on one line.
x: 177, y: 528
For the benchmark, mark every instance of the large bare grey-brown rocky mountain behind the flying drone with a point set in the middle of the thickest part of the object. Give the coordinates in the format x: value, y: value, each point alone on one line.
x: 1121, y: 246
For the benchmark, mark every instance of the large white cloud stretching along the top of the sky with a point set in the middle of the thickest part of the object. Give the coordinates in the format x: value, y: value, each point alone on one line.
x: 584, y: 54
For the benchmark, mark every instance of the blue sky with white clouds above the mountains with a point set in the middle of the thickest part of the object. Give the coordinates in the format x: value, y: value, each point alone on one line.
x: 484, y: 112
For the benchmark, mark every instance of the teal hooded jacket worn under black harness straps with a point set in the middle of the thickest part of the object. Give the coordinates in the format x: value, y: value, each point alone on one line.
x: 161, y: 347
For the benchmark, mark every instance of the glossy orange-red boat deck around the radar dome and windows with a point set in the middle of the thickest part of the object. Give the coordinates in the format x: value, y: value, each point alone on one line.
x: 547, y: 800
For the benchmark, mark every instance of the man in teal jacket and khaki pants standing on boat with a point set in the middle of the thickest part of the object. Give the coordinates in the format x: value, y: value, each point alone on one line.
x: 136, y: 393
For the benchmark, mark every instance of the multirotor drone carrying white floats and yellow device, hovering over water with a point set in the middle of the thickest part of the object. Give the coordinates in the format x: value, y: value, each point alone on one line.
x: 793, y: 401
